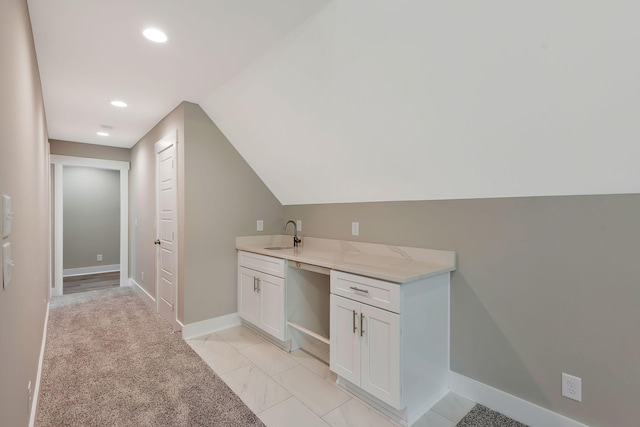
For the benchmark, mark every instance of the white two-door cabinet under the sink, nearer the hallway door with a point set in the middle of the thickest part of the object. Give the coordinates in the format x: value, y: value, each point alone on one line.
x: 261, y: 292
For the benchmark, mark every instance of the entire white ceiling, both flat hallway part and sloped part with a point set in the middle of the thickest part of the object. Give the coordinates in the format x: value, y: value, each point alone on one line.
x: 344, y: 101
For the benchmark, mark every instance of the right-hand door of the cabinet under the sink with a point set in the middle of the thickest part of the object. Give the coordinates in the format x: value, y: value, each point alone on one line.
x: 272, y: 316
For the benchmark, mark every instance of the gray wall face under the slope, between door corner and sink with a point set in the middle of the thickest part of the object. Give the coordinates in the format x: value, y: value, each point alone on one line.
x: 223, y: 199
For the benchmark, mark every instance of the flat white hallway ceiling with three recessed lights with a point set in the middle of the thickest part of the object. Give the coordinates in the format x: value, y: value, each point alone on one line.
x: 91, y: 52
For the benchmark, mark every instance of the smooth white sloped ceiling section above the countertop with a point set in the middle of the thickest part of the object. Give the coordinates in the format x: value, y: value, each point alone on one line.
x: 436, y: 100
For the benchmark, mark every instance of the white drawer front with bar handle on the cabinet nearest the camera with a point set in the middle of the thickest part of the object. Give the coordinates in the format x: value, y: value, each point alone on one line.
x: 377, y: 293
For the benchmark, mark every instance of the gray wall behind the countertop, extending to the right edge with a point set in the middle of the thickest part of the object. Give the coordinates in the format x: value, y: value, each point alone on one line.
x: 544, y: 285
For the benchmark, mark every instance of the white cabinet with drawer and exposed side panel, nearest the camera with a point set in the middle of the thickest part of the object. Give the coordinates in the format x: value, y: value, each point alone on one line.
x: 390, y: 341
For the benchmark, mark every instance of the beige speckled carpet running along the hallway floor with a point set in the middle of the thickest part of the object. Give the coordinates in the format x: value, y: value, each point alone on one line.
x: 111, y: 361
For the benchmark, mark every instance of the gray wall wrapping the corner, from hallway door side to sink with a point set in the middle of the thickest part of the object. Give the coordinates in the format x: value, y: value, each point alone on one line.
x: 219, y: 197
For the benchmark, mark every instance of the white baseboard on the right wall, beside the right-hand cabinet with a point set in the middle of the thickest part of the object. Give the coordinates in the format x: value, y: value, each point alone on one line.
x: 507, y: 404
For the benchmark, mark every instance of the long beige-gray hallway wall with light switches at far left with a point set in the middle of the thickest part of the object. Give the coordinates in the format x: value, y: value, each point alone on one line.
x: 23, y: 176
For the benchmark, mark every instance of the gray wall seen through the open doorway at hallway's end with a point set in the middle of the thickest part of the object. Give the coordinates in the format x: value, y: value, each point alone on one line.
x: 91, y: 217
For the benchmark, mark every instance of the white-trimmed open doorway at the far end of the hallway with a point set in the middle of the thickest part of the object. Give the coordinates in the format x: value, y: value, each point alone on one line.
x: 109, y: 268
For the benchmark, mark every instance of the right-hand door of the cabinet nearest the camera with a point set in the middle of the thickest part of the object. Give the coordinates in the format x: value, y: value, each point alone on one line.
x: 380, y: 374
